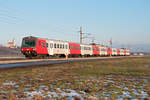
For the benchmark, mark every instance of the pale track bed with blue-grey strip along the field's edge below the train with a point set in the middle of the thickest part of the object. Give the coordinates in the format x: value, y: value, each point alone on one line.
x: 37, y: 62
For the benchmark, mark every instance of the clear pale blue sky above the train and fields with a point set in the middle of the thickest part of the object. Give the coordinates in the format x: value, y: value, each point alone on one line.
x: 127, y: 22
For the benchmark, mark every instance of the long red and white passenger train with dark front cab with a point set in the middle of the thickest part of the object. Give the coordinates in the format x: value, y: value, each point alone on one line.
x: 39, y: 47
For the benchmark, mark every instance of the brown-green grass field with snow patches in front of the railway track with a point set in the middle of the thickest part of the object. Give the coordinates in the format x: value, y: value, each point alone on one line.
x: 118, y: 78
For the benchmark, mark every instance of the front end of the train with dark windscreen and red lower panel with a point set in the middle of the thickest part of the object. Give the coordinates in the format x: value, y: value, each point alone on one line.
x: 28, y: 47
